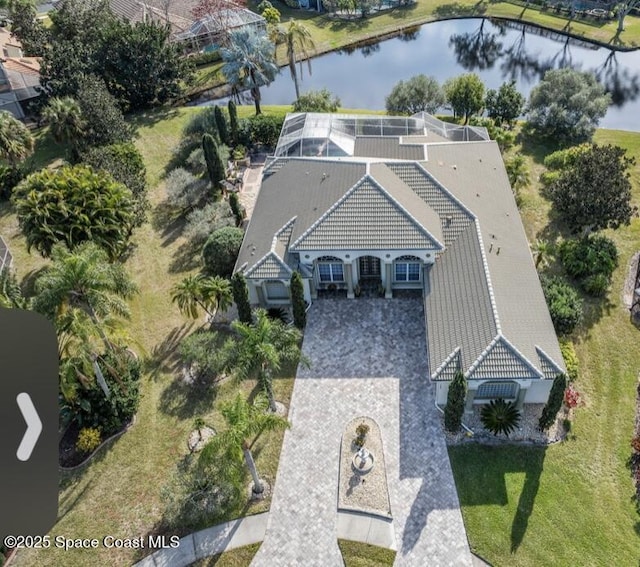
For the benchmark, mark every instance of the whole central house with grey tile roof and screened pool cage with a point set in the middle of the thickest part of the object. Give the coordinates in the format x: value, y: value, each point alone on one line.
x: 408, y: 203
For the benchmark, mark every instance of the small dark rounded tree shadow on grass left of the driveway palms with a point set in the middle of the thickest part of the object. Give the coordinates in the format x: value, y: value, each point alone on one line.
x: 187, y: 400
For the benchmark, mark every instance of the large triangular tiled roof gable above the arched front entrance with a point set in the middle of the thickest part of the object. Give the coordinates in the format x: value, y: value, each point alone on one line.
x: 366, y: 217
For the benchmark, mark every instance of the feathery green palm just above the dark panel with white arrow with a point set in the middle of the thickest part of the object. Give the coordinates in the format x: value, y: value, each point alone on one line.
x: 84, y: 279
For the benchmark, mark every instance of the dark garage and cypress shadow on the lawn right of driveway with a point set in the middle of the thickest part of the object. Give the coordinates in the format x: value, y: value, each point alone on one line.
x: 480, y: 472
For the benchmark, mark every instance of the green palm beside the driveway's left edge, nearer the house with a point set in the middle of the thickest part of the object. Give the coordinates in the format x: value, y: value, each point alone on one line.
x: 262, y: 349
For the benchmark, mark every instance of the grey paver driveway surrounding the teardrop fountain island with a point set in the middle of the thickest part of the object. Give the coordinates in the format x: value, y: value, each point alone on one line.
x: 368, y: 357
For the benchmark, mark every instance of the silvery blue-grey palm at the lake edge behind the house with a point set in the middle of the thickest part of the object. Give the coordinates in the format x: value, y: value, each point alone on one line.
x: 249, y: 62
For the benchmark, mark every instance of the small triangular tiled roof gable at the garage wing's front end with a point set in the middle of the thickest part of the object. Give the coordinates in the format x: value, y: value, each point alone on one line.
x: 502, y: 360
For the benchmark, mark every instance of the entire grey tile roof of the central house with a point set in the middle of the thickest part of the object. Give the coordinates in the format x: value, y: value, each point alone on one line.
x: 485, y: 311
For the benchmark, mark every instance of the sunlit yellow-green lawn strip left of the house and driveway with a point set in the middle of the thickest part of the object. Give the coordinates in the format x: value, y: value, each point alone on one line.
x: 119, y: 492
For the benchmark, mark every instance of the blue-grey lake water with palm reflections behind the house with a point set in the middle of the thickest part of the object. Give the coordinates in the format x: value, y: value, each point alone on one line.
x: 497, y: 51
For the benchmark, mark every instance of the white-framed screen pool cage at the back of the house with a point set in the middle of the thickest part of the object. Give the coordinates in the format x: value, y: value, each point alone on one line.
x: 334, y: 135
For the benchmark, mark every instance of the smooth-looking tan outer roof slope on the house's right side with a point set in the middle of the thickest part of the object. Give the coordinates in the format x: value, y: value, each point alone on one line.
x: 475, y: 174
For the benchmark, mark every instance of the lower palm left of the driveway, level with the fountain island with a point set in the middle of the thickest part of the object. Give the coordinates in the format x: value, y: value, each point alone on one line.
x: 244, y: 423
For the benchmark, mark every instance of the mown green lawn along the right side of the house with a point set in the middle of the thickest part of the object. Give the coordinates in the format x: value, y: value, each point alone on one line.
x: 569, y: 504
